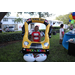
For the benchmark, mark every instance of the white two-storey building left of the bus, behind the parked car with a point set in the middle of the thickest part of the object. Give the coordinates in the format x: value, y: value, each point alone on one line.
x: 9, y: 21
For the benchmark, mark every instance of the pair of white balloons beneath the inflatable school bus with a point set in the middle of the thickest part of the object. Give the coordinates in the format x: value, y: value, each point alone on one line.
x: 39, y: 57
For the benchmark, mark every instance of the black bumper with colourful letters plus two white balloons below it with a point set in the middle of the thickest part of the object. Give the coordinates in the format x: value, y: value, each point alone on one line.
x: 41, y: 55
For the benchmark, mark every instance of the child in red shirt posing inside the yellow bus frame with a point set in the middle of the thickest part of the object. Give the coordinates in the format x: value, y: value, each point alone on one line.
x: 36, y: 37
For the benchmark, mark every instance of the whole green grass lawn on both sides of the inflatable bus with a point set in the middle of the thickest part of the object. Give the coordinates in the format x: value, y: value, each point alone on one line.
x: 10, y: 53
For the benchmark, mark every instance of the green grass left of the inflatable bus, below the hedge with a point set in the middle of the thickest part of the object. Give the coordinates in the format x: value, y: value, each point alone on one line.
x: 10, y: 53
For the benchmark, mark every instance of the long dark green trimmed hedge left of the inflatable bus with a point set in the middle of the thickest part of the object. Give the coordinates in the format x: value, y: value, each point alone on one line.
x: 10, y: 37
